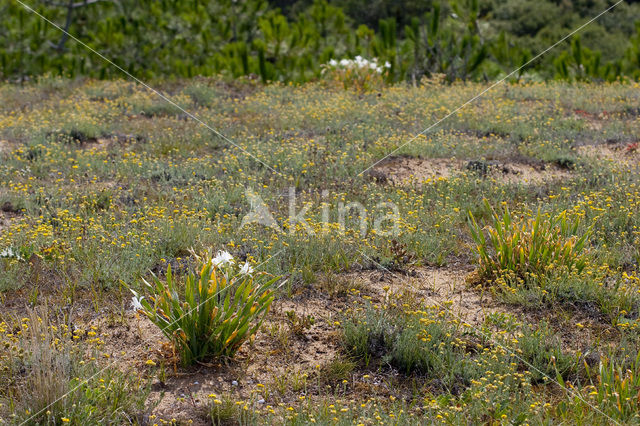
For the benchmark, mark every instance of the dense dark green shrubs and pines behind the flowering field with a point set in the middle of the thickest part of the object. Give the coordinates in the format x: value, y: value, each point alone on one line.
x: 291, y: 40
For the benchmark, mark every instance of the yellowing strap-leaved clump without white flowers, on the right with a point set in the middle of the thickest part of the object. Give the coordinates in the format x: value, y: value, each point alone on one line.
x: 532, y: 246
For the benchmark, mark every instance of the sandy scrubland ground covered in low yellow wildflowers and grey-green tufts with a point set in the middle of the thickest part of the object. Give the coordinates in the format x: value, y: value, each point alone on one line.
x: 503, y: 289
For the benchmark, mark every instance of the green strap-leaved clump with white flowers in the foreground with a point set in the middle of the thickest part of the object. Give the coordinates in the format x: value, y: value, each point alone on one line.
x: 215, y: 311
